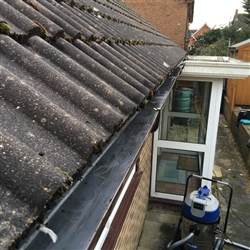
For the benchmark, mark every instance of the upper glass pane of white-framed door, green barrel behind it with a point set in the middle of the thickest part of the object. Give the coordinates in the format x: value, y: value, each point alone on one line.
x: 185, y: 113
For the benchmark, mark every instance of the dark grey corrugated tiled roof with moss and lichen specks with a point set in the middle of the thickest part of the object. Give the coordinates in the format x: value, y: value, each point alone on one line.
x: 71, y: 74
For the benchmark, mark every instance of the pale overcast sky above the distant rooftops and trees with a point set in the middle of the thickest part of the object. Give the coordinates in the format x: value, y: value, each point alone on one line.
x: 215, y: 13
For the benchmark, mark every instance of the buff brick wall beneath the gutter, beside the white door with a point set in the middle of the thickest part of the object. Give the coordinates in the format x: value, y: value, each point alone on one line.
x: 131, y: 230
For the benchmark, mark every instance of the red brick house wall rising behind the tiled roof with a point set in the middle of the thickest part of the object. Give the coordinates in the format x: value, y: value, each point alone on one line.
x: 168, y: 16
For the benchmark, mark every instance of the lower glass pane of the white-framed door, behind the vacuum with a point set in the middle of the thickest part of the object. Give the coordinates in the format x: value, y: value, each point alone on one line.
x: 173, y: 168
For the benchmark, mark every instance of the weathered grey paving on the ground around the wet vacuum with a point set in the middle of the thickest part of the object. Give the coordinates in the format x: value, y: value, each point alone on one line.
x: 162, y: 220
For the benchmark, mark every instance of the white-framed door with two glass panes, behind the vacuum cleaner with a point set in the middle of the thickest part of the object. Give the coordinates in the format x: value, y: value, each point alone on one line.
x: 185, y: 140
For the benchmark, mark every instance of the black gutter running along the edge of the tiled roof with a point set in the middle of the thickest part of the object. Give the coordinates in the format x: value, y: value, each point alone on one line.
x: 82, y: 215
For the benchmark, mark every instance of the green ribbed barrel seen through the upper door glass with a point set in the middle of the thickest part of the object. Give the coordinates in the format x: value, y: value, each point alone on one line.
x: 182, y: 100
